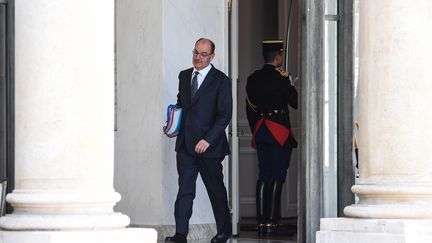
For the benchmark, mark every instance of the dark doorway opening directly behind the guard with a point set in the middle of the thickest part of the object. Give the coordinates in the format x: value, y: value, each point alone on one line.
x: 259, y: 20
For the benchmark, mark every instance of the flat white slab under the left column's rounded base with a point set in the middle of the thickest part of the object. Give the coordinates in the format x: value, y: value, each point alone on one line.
x: 129, y: 235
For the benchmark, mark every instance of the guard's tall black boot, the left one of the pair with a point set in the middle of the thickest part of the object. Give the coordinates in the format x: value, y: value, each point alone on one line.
x: 262, y: 205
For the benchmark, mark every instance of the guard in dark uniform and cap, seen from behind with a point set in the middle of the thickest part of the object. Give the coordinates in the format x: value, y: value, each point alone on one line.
x: 269, y: 93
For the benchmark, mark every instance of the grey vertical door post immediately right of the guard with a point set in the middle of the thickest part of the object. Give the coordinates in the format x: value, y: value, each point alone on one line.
x: 310, y: 171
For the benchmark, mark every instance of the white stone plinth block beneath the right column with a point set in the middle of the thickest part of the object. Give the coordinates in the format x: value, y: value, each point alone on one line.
x: 335, y: 230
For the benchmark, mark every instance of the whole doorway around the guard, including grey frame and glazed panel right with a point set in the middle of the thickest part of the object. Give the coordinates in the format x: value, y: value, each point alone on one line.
x: 320, y: 53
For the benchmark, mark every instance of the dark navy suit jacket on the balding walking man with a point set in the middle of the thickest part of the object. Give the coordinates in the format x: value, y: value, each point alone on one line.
x: 207, y: 115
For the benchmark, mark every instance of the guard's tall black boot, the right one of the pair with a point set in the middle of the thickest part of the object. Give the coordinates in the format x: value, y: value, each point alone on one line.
x: 275, y: 191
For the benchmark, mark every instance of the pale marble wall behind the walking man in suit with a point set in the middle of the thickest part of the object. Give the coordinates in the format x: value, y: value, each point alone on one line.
x: 154, y: 42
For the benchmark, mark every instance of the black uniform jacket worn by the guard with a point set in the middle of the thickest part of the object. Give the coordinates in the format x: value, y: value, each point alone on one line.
x: 269, y: 89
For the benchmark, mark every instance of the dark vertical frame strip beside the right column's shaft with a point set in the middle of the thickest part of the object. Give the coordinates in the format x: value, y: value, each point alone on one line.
x: 345, y: 104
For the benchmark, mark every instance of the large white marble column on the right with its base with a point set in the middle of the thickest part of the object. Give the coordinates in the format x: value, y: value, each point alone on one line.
x: 395, y: 184
